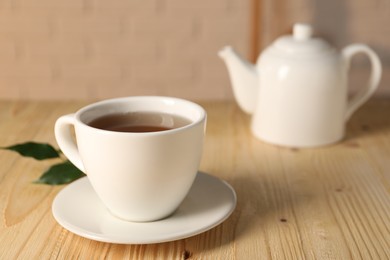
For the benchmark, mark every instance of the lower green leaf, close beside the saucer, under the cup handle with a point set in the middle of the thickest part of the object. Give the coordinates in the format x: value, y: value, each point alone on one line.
x: 61, y: 173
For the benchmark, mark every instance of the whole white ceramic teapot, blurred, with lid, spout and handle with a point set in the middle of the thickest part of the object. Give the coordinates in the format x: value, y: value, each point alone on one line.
x: 298, y: 91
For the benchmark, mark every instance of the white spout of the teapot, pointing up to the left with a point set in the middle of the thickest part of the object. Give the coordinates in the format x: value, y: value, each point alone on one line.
x: 244, y: 79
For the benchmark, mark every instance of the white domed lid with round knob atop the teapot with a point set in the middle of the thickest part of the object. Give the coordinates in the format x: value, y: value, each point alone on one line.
x: 301, y: 41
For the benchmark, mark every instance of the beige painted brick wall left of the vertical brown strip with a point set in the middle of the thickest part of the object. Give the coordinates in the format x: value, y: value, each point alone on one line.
x: 95, y: 49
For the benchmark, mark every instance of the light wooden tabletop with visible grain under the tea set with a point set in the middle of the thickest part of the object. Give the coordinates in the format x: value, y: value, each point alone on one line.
x: 324, y: 203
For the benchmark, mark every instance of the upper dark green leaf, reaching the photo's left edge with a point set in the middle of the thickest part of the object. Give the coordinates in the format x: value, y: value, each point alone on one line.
x: 38, y: 151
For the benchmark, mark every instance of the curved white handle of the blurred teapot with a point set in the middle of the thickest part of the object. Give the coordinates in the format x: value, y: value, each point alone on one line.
x: 376, y: 71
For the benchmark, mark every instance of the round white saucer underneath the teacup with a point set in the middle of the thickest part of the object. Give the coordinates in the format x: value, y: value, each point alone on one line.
x: 209, y: 202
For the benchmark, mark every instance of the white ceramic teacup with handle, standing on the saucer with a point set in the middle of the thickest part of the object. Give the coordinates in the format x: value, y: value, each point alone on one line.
x: 139, y: 176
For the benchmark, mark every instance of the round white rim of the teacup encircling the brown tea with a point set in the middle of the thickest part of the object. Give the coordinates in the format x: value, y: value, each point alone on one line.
x: 202, y: 114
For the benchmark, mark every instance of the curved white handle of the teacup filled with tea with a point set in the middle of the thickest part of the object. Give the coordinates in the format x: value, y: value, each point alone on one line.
x: 66, y: 141
